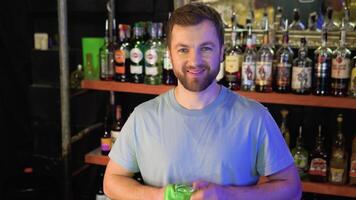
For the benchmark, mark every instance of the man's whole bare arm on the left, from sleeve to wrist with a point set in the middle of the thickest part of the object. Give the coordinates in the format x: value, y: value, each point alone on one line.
x: 119, y: 184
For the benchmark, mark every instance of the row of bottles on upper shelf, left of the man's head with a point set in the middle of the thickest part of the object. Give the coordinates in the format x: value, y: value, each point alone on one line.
x: 136, y: 59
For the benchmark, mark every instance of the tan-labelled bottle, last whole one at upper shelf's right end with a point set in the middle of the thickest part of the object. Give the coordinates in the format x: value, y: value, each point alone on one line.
x: 341, y: 67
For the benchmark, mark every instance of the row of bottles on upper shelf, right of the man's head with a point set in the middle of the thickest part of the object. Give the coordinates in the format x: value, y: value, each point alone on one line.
x: 329, y: 73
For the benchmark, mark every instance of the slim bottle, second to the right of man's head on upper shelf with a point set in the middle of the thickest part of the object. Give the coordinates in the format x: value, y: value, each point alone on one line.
x: 249, y: 65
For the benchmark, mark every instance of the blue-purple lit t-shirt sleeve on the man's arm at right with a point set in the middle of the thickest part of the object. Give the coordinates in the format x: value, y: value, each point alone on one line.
x: 273, y: 153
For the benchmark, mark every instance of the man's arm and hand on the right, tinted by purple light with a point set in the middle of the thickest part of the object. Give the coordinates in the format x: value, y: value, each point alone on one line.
x: 281, y: 185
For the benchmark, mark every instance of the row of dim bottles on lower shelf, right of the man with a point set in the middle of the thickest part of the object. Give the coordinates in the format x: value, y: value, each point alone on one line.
x: 317, y: 165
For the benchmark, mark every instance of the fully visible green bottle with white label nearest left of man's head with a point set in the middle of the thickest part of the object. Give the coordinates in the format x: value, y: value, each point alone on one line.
x: 153, y: 57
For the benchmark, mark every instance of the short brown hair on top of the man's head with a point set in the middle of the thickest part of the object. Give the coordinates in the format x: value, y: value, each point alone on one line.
x: 193, y: 14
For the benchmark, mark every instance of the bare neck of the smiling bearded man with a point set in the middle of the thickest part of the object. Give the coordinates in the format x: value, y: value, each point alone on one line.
x: 196, y: 100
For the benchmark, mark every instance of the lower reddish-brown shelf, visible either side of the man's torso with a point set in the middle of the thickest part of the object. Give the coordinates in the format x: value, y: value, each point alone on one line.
x: 95, y: 157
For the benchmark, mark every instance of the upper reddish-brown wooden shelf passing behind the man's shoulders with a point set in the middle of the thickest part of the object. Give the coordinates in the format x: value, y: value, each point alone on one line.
x: 274, y: 98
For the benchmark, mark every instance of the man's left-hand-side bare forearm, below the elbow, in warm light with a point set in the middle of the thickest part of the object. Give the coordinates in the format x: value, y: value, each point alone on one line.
x: 122, y: 187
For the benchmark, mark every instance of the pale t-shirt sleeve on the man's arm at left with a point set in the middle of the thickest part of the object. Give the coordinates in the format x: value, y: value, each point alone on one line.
x: 123, y: 151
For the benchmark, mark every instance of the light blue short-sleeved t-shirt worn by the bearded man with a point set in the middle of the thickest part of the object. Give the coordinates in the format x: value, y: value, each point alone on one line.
x: 232, y: 141
